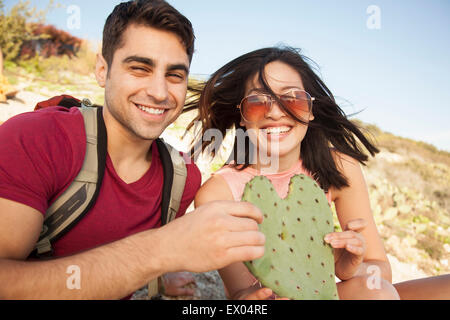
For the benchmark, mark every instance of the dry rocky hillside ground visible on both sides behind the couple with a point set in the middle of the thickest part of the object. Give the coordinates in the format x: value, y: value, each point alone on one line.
x: 408, y: 181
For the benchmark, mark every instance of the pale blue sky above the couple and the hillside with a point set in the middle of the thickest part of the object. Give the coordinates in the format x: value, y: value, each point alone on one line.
x: 388, y: 60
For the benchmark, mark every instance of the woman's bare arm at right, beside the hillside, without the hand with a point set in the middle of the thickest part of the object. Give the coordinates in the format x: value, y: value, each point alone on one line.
x: 352, y: 203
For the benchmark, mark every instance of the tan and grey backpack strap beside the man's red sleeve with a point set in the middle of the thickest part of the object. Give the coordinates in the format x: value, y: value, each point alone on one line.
x: 80, y: 196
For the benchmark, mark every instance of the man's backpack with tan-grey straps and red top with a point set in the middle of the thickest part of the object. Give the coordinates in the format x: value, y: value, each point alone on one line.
x: 81, y: 195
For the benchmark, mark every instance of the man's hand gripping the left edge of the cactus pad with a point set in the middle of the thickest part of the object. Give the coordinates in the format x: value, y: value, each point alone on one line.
x: 211, y: 237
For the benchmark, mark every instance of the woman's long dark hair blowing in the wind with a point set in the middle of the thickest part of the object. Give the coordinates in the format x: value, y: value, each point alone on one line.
x: 329, y: 130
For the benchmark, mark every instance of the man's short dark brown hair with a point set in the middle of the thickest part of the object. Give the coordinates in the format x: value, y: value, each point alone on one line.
x: 152, y: 13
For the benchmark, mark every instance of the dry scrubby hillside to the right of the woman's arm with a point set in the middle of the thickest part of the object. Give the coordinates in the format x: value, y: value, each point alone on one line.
x: 409, y: 185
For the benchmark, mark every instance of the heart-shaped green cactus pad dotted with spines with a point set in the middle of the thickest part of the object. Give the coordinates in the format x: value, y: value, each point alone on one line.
x: 297, y: 263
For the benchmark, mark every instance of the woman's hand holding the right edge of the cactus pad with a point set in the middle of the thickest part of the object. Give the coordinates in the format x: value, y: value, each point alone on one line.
x: 350, y: 248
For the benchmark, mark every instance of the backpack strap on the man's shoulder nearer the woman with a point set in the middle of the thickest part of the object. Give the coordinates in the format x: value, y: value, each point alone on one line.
x: 175, y: 174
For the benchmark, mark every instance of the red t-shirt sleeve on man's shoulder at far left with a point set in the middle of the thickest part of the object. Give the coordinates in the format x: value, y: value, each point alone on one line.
x: 39, y: 154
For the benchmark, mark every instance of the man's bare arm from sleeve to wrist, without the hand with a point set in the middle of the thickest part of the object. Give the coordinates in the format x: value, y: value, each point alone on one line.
x: 111, y: 271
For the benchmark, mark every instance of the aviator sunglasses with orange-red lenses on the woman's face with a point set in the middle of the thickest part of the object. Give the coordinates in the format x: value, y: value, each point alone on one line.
x: 255, y: 106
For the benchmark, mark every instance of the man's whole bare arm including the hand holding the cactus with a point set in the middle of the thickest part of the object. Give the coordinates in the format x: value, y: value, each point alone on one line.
x: 196, y: 242
